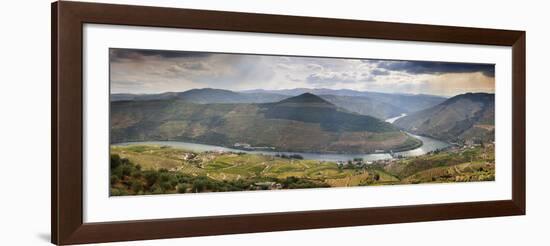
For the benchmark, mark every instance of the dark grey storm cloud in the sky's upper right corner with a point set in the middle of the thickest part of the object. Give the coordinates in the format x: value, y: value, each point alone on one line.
x: 426, y: 67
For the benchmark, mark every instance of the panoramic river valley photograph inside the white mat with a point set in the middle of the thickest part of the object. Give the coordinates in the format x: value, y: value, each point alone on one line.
x: 195, y: 122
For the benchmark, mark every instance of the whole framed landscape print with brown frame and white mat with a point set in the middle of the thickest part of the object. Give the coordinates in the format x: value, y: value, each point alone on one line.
x: 174, y: 122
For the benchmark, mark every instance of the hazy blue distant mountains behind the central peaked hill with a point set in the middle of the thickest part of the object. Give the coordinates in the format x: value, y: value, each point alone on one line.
x: 379, y: 105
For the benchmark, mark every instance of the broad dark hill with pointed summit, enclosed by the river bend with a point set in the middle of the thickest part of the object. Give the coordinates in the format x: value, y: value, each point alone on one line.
x: 304, y: 123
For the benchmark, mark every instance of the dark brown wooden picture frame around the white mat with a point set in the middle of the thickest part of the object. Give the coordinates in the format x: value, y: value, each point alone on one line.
x: 67, y: 123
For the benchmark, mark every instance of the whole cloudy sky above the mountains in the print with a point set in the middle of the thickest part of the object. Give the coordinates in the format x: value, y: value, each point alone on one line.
x: 149, y: 71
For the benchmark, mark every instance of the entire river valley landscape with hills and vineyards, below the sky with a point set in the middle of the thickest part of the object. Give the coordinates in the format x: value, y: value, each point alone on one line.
x: 211, y: 140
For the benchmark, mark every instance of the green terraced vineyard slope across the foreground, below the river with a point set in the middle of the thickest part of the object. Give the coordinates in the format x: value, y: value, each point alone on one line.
x: 256, y: 171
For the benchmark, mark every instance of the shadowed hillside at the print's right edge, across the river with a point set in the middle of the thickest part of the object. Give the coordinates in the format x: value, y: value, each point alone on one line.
x: 464, y: 117
